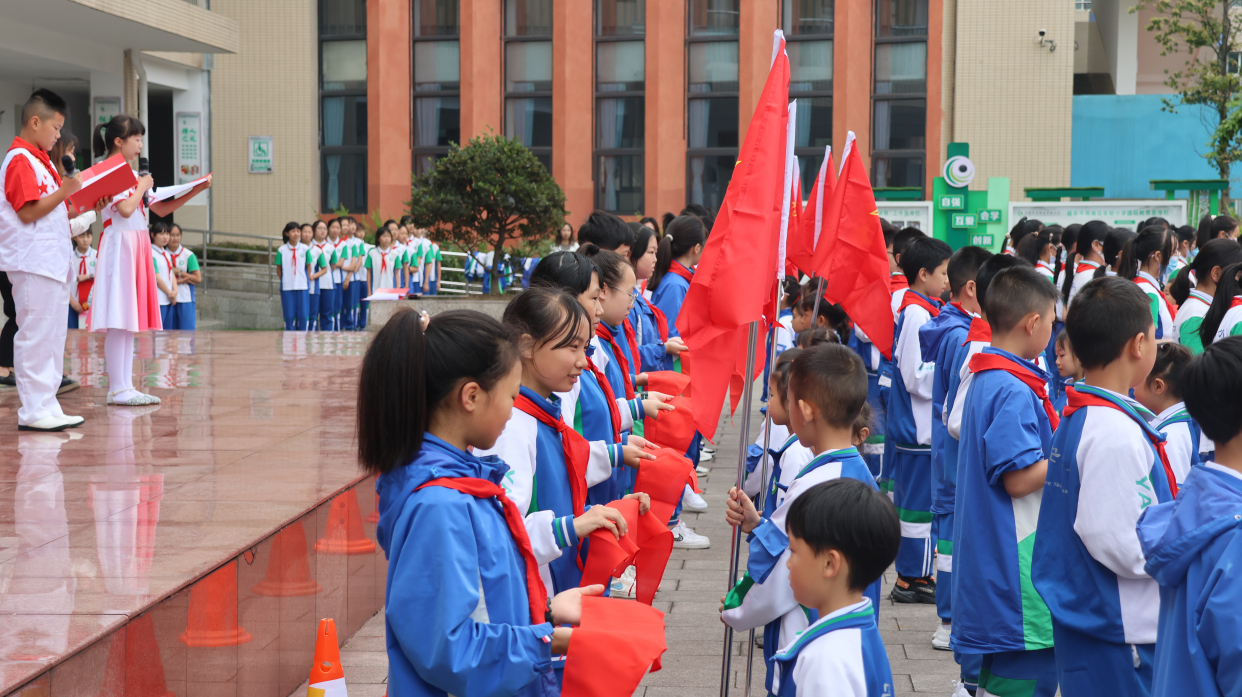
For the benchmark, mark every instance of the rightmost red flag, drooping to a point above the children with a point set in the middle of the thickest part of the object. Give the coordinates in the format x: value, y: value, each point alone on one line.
x: 853, y: 257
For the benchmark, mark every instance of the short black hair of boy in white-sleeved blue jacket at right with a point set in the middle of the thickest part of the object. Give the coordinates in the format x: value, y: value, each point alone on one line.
x: 1106, y: 314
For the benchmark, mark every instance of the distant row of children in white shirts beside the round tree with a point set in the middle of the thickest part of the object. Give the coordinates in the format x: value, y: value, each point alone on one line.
x: 329, y: 269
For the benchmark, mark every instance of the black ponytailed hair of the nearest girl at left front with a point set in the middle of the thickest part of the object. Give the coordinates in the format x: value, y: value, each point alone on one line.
x: 408, y: 373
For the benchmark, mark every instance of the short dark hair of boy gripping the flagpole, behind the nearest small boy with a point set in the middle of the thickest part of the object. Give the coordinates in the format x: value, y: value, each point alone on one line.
x: 834, y: 380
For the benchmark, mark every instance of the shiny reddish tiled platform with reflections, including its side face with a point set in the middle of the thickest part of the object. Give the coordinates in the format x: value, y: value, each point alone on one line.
x: 104, y: 529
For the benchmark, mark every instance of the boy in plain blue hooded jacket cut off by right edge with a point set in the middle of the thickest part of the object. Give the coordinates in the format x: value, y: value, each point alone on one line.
x: 1194, y: 545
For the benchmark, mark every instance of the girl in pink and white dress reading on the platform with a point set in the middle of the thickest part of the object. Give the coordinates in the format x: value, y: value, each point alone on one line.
x: 125, y: 289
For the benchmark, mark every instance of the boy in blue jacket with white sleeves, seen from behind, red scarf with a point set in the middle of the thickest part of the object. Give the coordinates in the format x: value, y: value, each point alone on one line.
x: 1107, y: 465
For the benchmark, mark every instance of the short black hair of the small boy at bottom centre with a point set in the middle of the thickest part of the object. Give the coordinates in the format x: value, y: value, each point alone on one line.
x: 854, y: 519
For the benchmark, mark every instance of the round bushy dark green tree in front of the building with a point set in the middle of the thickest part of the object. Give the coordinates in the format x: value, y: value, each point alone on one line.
x: 492, y: 192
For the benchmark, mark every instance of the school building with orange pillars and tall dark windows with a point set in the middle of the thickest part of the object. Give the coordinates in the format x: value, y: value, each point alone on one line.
x: 639, y: 107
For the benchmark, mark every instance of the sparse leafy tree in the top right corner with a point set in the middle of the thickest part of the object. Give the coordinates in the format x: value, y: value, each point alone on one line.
x: 1208, y: 32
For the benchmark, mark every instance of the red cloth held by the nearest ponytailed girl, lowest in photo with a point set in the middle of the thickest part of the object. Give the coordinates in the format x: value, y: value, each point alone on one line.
x: 613, y: 649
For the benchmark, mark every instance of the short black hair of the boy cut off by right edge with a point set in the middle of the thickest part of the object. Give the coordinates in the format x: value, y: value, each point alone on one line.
x: 1213, y: 383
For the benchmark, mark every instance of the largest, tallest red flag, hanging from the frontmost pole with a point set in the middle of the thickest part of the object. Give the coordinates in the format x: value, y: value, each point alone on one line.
x: 727, y: 294
